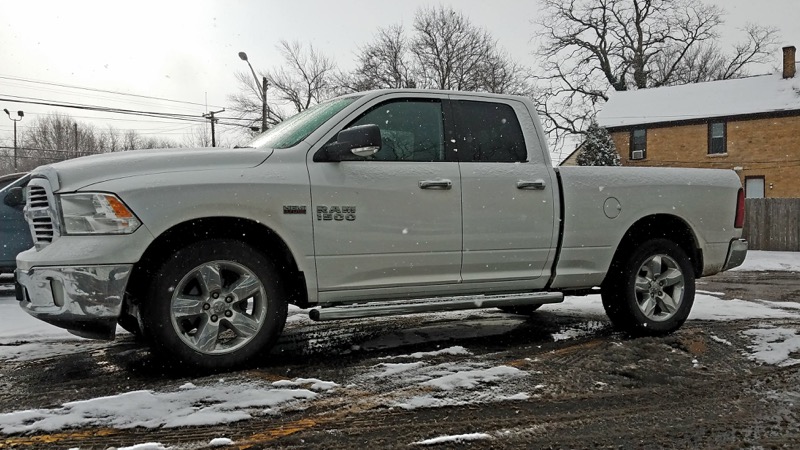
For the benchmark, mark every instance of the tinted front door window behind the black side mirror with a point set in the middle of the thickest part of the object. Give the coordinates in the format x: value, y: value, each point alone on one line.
x: 411, y: 130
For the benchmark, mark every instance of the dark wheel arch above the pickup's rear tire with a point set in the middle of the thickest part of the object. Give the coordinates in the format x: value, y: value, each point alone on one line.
x: 665, y: 226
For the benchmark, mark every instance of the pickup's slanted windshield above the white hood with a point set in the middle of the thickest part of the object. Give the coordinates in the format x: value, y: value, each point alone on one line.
x: 296, y: 128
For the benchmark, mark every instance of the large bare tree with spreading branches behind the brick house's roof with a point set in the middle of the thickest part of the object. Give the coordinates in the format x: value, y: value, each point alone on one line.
x: 588, y: 47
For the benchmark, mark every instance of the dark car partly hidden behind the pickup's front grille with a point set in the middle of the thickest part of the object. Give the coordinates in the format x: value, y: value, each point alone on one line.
x: 15, y: 236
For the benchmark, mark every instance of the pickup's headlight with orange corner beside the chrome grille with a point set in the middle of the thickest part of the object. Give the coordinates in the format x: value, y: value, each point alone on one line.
x: 96, y: 213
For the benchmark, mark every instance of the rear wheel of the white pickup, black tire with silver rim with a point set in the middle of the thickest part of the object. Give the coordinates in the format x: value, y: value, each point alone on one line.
x: 651, y: 291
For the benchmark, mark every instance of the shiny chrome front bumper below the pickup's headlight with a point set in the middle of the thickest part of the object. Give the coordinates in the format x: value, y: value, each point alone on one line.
x: 86, y: 300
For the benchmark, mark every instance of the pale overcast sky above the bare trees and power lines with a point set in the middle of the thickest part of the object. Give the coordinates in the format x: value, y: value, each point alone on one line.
x: 187, y: 50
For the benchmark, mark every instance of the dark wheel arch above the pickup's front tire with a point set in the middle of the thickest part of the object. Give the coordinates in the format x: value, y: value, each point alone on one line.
x: 257, y: 235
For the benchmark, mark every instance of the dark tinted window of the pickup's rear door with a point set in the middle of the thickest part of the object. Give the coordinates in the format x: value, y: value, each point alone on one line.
x: 488, y: 132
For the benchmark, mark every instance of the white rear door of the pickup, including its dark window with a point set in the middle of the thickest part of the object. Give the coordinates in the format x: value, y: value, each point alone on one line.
x: 507, y: 192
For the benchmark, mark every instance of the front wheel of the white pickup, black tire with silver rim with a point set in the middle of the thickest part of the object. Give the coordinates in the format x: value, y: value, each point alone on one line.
x: 214, y: 305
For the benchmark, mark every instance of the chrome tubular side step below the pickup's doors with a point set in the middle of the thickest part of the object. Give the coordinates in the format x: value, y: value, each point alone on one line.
x: 432, y: 305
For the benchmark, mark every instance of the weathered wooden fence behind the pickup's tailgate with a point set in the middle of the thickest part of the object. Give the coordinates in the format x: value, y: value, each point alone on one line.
x: 773, y: 224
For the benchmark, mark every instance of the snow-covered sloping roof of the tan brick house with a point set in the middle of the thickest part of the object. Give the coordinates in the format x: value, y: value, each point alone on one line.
x: 752, y: 95
